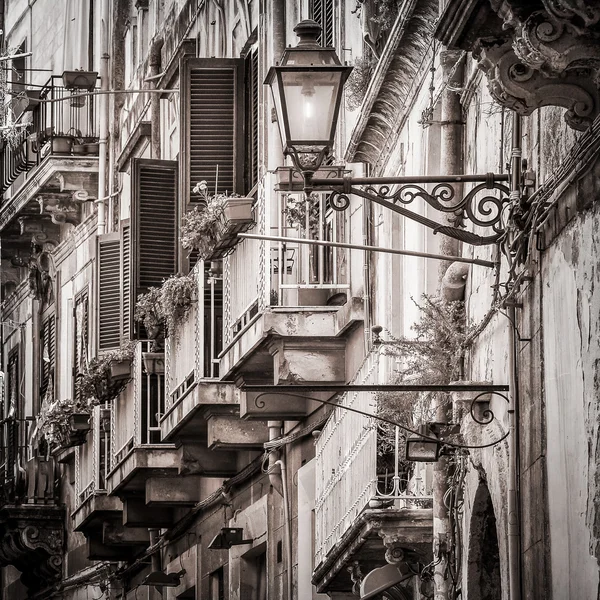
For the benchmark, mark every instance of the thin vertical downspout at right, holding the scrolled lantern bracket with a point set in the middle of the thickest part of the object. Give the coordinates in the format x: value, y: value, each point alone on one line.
x: 514, y: 521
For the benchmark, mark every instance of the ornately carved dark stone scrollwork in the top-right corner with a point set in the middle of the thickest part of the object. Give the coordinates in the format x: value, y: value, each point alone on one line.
x: 532, y: 58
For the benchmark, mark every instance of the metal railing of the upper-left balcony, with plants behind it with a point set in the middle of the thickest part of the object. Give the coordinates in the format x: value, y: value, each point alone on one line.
x: 57, y: 126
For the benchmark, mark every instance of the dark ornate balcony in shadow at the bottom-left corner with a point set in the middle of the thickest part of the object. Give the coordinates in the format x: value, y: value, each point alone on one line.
x: 31, y: 517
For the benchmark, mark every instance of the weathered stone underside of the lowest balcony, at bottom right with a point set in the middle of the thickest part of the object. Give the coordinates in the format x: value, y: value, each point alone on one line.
x: 397, y: 532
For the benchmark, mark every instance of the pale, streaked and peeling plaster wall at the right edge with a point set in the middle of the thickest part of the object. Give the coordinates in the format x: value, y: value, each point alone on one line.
x: 571, y: 320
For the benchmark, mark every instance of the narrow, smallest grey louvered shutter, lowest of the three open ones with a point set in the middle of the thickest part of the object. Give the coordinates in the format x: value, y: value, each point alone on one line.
x: 109, y: 292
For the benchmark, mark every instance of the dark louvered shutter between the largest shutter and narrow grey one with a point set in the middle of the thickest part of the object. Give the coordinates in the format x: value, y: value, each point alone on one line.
x: 154, y: 223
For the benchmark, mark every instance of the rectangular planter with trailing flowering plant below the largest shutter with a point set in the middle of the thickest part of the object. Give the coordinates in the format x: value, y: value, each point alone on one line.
x: 211, y: 228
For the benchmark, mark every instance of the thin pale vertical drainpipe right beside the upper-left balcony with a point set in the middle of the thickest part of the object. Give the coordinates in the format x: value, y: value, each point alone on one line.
x: 103, y: 114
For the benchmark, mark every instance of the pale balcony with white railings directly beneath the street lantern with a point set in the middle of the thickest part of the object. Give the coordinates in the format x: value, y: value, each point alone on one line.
x: 283, y: 300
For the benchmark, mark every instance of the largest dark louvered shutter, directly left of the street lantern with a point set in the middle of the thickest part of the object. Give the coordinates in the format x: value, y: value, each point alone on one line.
x: 213, y: 113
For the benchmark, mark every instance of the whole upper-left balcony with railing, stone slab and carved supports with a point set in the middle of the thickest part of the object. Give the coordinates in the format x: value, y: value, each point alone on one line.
x: 52, y: 166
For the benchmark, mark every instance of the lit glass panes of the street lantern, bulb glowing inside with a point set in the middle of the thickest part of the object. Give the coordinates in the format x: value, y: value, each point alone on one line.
x: 311, y: 99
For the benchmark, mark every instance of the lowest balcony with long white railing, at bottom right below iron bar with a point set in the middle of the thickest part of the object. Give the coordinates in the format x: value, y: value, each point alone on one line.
x: 367, y: 508
